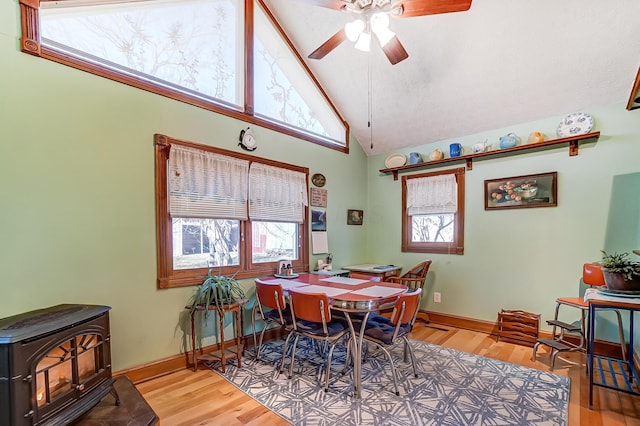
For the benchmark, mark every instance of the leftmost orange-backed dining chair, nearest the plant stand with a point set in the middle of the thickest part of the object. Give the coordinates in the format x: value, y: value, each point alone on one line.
x: 271, y: 308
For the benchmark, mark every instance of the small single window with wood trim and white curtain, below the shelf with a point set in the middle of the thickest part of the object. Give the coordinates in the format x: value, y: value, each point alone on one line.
x: 433, y: 212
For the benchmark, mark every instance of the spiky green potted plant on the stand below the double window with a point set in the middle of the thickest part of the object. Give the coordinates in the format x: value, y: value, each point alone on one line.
x: 218, y: 290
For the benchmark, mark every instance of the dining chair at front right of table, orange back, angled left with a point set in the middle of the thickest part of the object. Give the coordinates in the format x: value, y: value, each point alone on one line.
x: 387, y: 332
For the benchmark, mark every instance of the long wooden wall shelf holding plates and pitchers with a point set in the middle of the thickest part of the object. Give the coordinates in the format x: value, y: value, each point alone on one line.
x: 572, y: 142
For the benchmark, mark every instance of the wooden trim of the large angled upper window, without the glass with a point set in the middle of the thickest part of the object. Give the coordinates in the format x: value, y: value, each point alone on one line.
x: 31, y: 43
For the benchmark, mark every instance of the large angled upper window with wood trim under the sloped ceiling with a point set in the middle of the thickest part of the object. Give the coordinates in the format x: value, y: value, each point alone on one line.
x: 228, y: 56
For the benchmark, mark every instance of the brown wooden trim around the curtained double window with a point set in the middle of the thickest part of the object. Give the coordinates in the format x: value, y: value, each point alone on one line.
x: 167, y: 276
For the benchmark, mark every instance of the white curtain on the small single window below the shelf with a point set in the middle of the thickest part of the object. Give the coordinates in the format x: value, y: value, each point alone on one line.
x: 432, y: 195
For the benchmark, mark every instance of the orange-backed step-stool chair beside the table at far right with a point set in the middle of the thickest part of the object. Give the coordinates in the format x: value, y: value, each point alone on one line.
x: 593, y: 277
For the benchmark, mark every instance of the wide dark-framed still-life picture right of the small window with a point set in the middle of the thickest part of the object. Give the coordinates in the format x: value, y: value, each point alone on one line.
x: 519, y: 192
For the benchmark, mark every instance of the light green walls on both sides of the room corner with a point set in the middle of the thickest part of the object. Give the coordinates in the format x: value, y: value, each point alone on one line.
x: 77, y: 216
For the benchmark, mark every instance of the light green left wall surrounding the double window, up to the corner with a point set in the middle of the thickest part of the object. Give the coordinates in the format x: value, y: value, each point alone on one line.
x: 77, y: 222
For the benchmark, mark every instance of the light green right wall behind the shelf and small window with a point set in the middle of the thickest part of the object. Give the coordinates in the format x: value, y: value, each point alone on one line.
x: 524, y: 258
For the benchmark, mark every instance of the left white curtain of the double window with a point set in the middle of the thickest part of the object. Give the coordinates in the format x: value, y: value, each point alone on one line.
x: 207, y: 185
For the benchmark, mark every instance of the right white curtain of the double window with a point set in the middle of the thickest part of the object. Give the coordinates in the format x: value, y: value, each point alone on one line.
x: 276, y: 194
